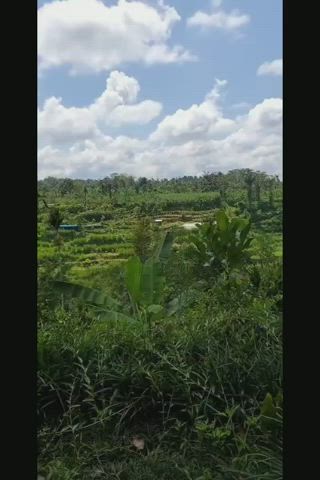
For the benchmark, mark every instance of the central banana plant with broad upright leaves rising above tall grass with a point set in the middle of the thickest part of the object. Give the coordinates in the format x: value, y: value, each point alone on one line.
x: 144, y: 282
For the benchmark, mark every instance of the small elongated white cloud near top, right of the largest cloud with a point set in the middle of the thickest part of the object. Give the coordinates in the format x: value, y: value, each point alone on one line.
x: 219, y: 19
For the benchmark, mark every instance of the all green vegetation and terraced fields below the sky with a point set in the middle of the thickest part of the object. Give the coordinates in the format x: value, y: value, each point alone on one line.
x: 160, y: 348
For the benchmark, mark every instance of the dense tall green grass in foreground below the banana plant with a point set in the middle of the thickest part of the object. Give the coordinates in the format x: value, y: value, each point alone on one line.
x: 196, y: 384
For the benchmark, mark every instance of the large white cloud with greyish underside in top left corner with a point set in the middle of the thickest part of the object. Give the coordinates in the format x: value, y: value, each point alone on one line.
x: 89, y: 36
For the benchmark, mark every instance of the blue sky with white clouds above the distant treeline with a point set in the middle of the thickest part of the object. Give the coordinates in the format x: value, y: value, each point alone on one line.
x: 159, y: 88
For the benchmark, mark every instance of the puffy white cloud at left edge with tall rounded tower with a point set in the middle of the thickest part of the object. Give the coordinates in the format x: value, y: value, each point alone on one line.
x: 115, y: 107
